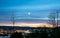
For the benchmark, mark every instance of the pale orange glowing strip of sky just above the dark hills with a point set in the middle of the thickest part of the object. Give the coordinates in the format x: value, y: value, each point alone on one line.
x: 27, y: 24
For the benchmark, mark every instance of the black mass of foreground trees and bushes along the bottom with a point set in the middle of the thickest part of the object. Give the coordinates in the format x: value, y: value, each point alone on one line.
x: 39, y: 33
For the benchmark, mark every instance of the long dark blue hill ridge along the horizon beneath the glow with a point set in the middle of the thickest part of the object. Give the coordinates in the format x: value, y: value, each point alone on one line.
x: 23, y: 28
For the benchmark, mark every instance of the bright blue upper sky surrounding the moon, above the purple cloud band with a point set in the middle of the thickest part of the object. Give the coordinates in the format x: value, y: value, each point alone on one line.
x: 39, y: 9
